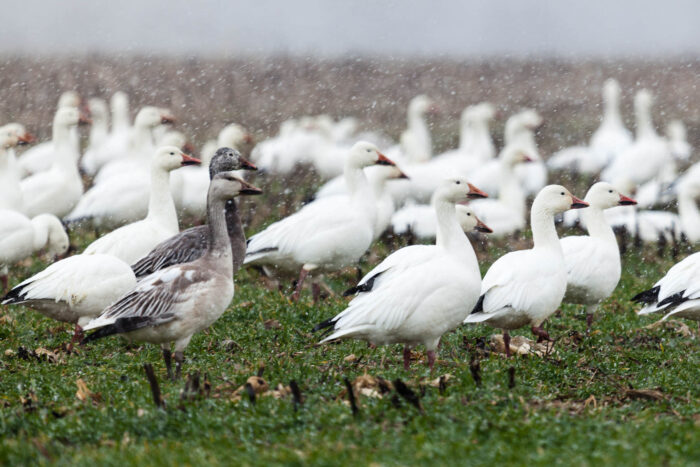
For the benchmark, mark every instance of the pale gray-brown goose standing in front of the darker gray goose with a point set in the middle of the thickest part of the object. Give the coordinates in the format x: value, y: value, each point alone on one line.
x: 173, y: 304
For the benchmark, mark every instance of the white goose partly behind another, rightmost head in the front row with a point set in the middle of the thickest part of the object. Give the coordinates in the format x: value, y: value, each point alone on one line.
x: 593, y: 262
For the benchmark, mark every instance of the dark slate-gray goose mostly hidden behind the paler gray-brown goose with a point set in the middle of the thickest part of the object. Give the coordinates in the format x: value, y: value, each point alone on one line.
x: 192, y: 243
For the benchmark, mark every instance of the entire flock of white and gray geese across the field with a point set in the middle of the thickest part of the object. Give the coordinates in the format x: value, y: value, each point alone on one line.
x: 146, y: 280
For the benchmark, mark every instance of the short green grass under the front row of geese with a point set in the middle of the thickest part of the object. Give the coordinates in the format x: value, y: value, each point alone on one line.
x: 571, y: 407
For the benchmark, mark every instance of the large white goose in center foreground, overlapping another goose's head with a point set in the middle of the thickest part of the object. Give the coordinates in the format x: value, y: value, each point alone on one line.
x: 419, y: 292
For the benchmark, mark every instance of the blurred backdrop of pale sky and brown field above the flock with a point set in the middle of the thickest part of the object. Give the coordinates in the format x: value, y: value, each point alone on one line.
x: 258, y: 62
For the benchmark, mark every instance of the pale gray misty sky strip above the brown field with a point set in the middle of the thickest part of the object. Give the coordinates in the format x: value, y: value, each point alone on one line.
x: 465, y: 28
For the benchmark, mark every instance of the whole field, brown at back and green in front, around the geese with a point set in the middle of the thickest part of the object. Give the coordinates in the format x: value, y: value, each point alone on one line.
x: 623, y: 395
